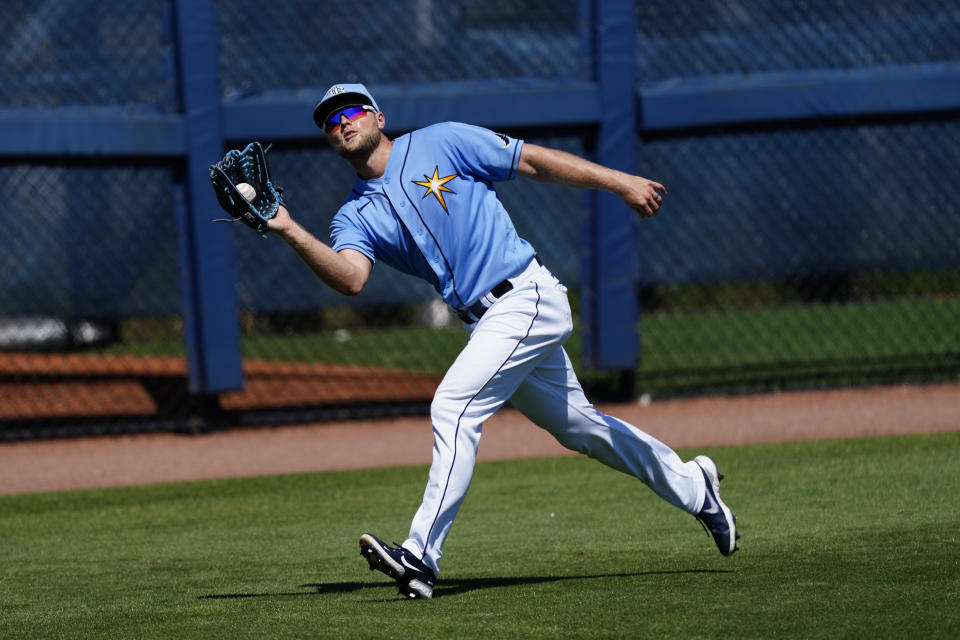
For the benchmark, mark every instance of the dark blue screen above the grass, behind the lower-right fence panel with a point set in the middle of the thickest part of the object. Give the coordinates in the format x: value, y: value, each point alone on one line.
x: 804, y: 201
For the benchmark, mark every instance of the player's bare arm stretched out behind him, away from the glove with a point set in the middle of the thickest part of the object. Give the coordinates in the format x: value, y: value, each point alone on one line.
x: 559, y: 167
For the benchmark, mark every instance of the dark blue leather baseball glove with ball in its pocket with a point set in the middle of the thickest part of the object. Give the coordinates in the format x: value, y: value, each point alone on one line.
x: 250, y: 166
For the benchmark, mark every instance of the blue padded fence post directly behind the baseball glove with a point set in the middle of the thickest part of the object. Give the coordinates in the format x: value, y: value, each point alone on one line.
x: 207, y: 252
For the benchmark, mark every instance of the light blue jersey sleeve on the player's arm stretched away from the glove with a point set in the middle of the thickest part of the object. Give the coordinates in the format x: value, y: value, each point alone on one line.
x: 485, y: 153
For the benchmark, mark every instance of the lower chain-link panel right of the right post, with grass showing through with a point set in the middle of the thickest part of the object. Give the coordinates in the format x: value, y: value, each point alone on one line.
x: 802, y: 255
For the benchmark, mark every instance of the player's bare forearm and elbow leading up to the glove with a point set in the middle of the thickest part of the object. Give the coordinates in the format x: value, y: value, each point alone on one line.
x: 346, y: 271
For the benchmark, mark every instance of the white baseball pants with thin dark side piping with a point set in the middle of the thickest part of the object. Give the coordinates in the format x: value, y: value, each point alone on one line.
x: 515, y: 353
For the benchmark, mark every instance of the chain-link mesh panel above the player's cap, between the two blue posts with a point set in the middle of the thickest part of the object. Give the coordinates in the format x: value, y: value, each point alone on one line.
x: 407, y: 41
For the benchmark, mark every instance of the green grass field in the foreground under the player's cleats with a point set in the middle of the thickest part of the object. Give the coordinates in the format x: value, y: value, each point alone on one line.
x: 850, y: 538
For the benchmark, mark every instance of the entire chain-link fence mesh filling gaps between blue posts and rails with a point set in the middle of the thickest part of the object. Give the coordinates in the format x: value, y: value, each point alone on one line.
x: 789, y: 254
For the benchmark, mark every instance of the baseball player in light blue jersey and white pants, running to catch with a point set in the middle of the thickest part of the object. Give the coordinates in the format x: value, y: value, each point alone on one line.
x: 424, y: 203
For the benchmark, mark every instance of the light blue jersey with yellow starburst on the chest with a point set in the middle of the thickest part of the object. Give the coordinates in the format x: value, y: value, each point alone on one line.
x: 434, y: 214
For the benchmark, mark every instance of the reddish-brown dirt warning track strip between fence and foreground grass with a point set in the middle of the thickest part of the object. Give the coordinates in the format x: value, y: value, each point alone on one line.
x: 49, y: 465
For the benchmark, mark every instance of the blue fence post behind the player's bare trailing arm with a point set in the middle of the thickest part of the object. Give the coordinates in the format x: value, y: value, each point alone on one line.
x: 611, y: 339
